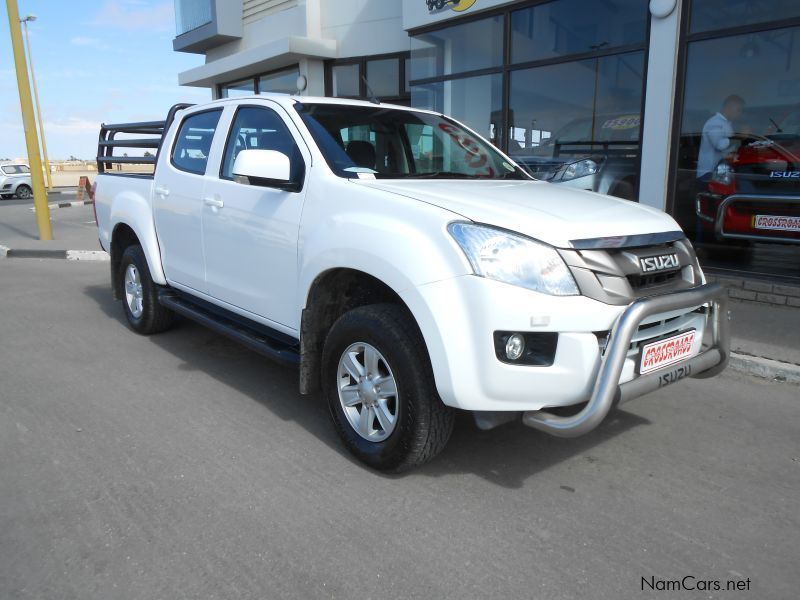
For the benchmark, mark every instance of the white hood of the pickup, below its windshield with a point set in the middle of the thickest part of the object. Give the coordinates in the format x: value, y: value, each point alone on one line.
x: 544, y: 211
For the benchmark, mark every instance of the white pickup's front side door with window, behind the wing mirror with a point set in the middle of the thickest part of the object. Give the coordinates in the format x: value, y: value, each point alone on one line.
x: 250, y: 232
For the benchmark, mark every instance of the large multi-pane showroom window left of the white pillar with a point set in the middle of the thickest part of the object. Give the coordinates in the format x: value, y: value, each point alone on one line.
x: 574, y: 122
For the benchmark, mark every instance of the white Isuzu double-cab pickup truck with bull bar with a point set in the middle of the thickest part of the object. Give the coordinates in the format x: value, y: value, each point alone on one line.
x: 406, y: 265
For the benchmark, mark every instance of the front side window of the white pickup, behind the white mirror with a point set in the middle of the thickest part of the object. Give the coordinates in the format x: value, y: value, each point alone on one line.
x: 260, y: 128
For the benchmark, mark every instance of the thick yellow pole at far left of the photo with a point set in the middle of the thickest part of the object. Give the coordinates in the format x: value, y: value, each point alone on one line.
x: 28, y: 124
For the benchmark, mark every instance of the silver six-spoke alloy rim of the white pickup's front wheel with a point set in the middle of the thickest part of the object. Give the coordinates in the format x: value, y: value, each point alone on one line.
x: 368, y: 392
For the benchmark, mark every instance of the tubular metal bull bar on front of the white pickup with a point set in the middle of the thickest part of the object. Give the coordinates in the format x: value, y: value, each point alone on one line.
x: 607, y: 389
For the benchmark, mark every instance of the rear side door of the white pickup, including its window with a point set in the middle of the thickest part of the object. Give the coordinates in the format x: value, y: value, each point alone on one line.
x: 178, y: 199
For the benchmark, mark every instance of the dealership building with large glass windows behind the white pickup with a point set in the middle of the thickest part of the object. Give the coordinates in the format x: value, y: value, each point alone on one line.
x: 690, y: 106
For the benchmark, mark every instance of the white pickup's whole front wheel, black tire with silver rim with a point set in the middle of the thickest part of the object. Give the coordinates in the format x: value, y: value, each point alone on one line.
x: 378, y: 382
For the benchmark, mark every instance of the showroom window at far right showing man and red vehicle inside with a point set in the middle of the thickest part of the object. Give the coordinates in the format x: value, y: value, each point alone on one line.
x: 737, y: 181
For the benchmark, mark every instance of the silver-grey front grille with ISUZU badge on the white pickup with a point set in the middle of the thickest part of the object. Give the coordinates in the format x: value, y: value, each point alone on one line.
x: 615, y: 275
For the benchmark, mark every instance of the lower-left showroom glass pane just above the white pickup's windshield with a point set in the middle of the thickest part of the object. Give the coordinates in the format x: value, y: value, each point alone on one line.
x: 475, y: 101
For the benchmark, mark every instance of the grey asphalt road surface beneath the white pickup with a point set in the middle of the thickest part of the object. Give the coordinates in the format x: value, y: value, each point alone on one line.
x: 183, y: 466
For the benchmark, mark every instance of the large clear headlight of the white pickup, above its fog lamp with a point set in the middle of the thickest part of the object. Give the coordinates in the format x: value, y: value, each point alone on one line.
x: 503, y: 256
